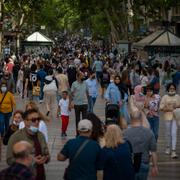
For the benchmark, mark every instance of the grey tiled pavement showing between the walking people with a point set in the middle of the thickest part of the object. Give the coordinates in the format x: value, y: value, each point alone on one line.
x: 168, y: 169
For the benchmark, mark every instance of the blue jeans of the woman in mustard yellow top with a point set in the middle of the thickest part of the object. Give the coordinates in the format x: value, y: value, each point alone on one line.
x: 4, y: 122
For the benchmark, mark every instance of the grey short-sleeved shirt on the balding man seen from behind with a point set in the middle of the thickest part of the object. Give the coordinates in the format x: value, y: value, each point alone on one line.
x: 142, y: 141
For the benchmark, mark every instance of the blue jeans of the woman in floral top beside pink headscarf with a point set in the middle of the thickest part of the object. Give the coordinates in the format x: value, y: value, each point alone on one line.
x: 154, y: 125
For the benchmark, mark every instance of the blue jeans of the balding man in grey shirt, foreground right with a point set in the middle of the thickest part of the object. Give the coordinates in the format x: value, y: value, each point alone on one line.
x: 143, y: 172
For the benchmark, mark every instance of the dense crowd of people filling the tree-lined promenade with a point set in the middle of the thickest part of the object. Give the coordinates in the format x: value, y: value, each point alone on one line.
x: 122, y: 147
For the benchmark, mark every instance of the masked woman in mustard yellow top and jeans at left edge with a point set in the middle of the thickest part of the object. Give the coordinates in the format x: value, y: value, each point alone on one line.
x: 7, y: 103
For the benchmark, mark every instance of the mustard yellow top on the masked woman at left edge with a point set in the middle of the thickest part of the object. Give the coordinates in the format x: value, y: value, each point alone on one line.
x: 8, y: 102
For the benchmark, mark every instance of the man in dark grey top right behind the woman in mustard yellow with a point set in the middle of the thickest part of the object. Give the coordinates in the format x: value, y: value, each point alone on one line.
x: 8, y: 78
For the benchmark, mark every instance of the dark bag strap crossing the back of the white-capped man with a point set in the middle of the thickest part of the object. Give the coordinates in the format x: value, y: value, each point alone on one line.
x: 66, y: 172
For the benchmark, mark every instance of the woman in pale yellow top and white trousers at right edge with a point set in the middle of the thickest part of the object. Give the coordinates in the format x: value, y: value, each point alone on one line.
x: 168, y: 104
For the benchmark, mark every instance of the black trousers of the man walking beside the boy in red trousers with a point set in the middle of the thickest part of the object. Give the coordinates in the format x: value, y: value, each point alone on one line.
x: 78, y: 110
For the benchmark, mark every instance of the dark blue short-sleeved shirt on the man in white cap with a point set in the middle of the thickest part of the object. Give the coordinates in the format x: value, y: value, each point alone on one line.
x: 85, y: 165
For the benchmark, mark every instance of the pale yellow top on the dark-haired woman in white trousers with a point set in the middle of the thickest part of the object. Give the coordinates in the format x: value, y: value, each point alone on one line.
x: 169, y: 102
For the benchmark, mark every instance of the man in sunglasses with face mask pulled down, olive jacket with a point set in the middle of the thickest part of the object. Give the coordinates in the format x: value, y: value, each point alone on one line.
x: 31, y: 134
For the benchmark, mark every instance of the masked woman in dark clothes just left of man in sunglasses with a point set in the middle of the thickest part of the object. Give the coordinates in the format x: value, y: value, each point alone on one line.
x: 17, y: 118
